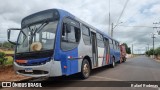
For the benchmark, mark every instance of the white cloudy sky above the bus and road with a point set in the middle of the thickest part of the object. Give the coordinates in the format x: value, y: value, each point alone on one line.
x: 137, y: 13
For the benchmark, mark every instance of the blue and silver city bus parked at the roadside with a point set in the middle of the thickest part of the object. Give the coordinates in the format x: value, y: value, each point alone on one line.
x: 54, y: 42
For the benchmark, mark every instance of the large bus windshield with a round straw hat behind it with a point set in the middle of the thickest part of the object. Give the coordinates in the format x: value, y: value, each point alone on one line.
x: 43, y: 34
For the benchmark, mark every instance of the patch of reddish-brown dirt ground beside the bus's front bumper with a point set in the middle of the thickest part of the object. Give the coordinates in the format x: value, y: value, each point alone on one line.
x: 8, y: 74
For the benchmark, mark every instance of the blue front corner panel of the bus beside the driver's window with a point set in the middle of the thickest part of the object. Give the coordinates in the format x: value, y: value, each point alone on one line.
x: 68, y: 58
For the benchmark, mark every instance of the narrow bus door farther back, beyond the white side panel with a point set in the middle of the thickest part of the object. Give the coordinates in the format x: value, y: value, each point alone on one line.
x: 106, y: 43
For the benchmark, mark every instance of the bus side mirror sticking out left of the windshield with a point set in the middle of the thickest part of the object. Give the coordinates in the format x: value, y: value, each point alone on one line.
x: 12, y: 37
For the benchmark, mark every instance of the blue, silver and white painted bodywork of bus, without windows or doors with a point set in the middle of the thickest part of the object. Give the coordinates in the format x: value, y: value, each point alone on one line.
x: 70, y: 62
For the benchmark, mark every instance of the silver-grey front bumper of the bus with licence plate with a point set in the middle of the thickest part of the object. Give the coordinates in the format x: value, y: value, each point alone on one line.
x: 50, y: 69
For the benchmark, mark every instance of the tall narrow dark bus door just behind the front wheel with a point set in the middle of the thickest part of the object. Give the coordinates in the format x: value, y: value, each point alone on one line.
x: 94, y: 49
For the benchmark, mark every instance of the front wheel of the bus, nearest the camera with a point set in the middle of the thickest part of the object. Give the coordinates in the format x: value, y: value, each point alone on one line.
x: 85, y: 69
